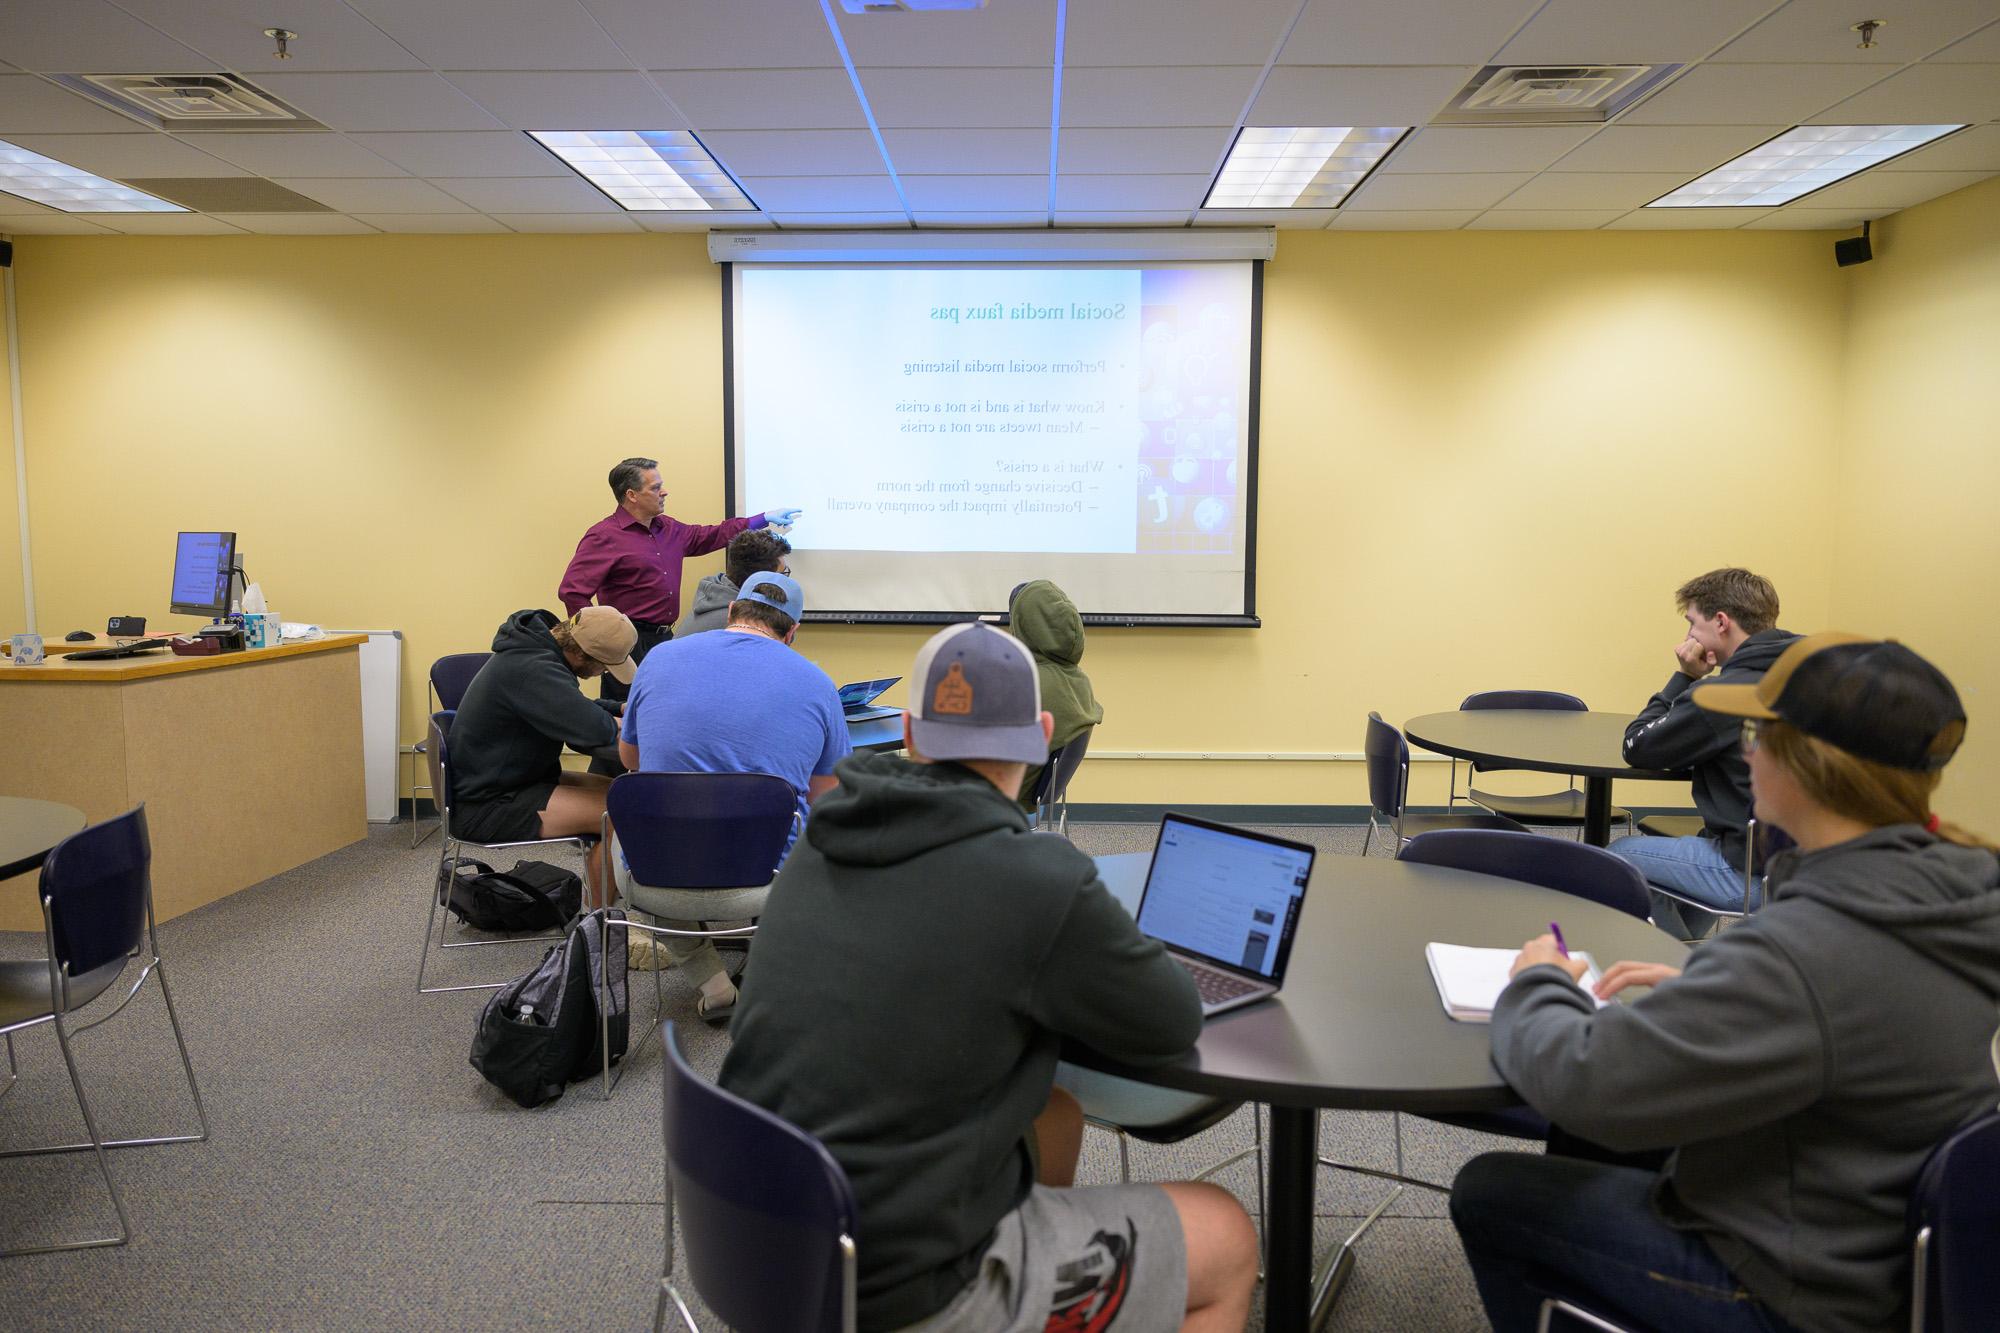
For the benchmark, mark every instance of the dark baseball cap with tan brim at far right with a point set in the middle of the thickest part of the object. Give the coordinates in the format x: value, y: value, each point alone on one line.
x: 1871, y: 698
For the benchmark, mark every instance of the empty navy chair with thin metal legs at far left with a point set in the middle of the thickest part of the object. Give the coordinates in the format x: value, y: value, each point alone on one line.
x: 97, y: 918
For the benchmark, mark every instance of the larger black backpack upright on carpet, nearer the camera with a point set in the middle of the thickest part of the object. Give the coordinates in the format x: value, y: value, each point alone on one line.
x: 541, y: 1034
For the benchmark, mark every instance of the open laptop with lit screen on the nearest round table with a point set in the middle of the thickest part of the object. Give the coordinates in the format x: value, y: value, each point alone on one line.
x: 1225, y: 902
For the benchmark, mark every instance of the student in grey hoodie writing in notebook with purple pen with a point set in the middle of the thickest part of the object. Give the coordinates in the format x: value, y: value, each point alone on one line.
x: 1799, y: 1070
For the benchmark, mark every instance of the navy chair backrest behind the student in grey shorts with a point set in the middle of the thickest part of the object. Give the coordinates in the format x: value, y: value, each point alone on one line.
x: 767, y: 1214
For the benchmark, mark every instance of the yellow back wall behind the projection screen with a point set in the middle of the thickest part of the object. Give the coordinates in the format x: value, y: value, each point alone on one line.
x: 1489, y: 459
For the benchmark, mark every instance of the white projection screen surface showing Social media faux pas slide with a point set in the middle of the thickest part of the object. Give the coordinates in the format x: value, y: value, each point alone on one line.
x: 955, y: 431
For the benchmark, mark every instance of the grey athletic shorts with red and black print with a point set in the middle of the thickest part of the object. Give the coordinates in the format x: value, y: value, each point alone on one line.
x: 1069, y: 1260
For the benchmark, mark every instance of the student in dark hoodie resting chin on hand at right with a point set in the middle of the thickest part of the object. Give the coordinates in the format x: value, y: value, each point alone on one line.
x: 1733, y: 631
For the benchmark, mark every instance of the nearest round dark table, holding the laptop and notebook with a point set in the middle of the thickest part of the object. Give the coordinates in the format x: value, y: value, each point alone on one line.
x: 1359, y: 1024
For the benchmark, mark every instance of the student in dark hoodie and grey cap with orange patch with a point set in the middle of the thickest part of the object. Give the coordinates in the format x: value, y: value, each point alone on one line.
x: 919, y: 966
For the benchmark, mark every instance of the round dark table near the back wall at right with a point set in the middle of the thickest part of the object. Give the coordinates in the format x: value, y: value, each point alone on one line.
x: 1589, y: 746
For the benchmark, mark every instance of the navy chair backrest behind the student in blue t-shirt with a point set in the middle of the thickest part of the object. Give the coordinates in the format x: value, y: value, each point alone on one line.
x: 703, y: 830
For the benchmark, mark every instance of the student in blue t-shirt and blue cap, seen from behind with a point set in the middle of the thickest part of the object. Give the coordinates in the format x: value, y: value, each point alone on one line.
x: 735, y: 702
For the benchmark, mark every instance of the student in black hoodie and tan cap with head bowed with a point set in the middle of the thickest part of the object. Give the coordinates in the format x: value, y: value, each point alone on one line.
x: 519, y: 714
